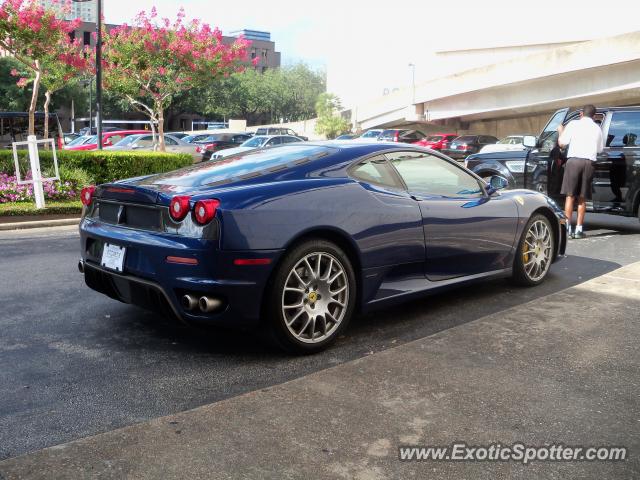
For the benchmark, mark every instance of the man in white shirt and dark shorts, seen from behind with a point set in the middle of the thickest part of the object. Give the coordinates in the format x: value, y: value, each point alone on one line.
x: 584, y: 138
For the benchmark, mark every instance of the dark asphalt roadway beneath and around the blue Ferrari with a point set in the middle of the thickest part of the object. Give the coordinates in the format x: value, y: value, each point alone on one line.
x: 76, y: 363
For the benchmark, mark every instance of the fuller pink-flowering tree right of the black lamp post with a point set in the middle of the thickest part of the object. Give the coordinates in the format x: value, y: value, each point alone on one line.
x: 153, y: 60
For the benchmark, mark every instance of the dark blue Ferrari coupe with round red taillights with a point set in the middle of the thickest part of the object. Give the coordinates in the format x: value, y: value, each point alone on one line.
x: 305, y: 235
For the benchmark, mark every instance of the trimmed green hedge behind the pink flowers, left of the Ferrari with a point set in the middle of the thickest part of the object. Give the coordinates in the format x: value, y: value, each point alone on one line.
x: 102, y: 166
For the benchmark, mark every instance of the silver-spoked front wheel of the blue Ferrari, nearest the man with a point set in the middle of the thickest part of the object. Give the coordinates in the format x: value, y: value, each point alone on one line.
x: 535, y: 252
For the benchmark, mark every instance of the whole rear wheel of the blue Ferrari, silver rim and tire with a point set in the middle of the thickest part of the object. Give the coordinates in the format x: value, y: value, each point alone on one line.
x: 312, y: 297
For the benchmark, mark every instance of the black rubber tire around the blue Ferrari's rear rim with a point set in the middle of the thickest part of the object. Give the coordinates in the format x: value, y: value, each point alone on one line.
x: 277, y: 322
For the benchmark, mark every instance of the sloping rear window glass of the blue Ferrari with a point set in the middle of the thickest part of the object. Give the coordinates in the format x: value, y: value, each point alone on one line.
x: 251, y: 164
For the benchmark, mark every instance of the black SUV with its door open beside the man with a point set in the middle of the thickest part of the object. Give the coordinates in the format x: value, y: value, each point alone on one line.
x: 616, y: 182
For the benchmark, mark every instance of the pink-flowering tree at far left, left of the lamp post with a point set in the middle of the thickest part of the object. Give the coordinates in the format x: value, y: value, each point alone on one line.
x: 35, y: 37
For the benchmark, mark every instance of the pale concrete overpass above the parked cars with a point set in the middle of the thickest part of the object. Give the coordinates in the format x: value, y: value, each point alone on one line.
x: 515, y: 96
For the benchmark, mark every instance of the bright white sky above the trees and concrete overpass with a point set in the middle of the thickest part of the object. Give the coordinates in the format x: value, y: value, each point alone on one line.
x: 366, y: 46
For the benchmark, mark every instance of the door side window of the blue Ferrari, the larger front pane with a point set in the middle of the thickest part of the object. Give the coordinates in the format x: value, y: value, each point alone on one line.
x: 430, y: 175
